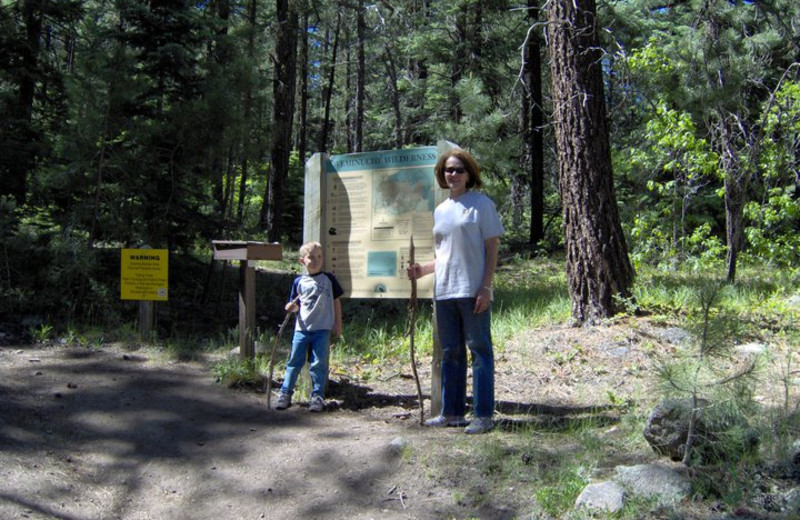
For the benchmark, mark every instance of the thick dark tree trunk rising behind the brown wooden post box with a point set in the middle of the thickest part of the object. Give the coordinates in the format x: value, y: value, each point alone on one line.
x: 283, y: 89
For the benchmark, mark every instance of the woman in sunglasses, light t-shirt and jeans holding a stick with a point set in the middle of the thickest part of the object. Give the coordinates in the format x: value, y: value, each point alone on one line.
x: 466, y: 229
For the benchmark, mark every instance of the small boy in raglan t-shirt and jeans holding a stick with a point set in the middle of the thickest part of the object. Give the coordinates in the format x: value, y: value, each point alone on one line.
x: 319, y: 317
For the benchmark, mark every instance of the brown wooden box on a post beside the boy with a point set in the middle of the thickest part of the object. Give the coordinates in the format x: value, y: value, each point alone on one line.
x: 247, y: 253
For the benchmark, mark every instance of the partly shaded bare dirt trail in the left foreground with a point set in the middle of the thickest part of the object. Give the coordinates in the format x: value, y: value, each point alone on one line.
x: 101, y: 434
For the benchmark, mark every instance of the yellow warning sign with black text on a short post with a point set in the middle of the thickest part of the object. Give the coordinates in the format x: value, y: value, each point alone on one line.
x: 145, y: 274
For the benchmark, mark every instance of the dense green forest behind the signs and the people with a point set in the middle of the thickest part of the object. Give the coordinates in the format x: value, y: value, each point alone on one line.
x: 170, y: 123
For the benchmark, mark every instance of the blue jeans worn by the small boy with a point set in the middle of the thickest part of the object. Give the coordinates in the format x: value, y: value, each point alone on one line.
x: 318, y: 340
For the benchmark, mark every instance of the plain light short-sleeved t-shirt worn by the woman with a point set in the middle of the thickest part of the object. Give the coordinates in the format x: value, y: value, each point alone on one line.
x: 460, y: 230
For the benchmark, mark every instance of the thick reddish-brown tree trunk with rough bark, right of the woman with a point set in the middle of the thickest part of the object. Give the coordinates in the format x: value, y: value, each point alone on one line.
x: 598, y: 267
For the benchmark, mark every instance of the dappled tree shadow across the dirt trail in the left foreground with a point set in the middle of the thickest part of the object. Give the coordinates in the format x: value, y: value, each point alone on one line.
x: 107, y: 421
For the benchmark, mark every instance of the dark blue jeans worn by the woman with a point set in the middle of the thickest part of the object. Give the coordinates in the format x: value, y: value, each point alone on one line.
x: 459, y: 328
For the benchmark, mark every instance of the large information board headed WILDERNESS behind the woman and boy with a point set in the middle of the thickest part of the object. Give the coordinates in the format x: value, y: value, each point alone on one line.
x: 373, y: 204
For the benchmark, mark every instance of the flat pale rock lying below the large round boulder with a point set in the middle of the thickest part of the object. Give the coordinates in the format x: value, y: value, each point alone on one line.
x: 654, y: 481
